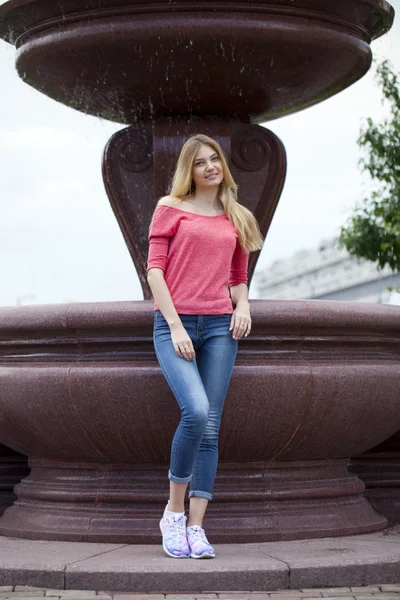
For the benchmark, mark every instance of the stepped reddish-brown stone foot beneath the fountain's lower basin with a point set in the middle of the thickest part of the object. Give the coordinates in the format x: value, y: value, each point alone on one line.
x: 252, y: 502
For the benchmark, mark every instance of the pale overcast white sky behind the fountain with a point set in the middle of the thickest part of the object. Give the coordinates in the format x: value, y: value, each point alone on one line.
x: 59, y: 240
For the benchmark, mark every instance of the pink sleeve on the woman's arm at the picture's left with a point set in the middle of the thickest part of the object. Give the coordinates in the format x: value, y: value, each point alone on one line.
x: 162, y: 228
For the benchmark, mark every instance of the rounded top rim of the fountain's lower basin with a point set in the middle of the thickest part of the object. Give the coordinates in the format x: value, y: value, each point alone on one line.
x: 305, y: 314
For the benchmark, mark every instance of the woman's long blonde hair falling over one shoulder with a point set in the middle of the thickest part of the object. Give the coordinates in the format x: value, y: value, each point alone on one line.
x: 246, y: 225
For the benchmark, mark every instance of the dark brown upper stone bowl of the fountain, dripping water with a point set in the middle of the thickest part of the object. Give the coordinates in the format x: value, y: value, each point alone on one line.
x: 128, y: 61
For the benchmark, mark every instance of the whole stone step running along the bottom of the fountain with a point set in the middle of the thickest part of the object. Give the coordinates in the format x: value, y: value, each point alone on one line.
x: 313, y: 567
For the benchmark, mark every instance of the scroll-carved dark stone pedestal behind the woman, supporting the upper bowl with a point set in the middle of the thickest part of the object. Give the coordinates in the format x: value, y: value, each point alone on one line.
x: 142, y: 158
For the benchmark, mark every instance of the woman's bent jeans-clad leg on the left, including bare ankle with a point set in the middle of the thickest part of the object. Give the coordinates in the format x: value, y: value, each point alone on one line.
x: 184, y: 379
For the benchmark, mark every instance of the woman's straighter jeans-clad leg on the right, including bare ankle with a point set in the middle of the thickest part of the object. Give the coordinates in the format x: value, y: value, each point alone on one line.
x: 215, y: 359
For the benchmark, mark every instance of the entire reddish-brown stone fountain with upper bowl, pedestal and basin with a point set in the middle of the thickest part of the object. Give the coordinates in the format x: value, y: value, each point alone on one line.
x: 81, y: 392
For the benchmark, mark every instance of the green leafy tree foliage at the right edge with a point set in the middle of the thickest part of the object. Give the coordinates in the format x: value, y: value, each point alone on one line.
x: 373, y: 231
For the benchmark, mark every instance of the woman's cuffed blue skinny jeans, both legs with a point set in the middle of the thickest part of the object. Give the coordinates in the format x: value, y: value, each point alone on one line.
x: 200, y: 387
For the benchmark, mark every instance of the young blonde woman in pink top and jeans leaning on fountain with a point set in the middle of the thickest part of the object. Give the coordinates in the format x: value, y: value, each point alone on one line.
x: 200, y: 238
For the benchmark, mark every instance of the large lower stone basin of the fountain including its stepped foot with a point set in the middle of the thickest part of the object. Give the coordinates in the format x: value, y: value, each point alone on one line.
x: 306, y: 393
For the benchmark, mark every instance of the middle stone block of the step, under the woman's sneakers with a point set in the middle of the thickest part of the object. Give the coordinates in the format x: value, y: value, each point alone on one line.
x: 149, y: 569
